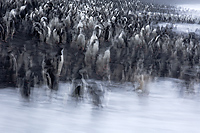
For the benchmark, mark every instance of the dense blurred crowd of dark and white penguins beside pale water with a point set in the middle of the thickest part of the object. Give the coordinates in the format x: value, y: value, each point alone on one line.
x: 114, y: 40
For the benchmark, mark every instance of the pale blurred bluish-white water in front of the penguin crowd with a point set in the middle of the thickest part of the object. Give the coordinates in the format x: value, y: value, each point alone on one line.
x: 164, y: 109
